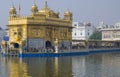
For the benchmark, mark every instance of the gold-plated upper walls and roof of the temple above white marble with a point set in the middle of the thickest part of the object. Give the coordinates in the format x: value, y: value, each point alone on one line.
x: 43, y: 24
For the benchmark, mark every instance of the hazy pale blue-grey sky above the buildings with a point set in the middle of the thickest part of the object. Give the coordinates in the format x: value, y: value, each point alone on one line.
x: 93, y: 11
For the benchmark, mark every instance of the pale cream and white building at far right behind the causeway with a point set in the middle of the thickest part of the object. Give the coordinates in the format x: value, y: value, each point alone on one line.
x: 111, y: 33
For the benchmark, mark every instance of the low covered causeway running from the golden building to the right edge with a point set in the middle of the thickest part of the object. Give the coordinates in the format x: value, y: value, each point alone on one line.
x: 95, y: 44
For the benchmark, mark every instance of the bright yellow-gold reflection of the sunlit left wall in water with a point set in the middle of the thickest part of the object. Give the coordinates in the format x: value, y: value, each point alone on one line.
x: 17, y: 68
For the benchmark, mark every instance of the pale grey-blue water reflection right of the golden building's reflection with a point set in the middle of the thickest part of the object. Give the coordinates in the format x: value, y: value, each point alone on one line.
x: 98, y: 65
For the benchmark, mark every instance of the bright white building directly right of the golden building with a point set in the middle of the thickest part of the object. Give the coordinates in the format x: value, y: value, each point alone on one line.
x: 82, y: 31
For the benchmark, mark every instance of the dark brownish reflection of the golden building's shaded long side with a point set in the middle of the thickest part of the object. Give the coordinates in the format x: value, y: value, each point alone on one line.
x: 49, y: 67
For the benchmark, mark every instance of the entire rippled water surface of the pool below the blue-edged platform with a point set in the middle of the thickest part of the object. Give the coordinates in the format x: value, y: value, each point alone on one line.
x: 94, y: 65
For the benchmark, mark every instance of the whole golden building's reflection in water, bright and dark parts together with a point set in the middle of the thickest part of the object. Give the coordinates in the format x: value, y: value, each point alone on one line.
x: 37, y: 67
